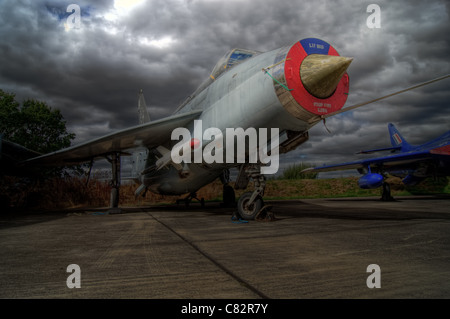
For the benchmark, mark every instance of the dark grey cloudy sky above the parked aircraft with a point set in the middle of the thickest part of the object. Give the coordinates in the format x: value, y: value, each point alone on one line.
x: 93, y: 71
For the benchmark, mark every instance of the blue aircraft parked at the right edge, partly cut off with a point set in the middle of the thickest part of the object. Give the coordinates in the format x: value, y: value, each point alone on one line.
x: 411, y: 163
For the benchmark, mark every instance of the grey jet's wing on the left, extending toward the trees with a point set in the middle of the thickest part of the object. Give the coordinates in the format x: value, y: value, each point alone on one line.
x: 150, y: 135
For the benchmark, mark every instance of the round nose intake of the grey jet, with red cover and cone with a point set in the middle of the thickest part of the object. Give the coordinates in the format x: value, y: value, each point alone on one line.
x: 315, y: 80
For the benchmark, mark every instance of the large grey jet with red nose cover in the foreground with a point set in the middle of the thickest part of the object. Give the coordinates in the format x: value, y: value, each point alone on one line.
x: 290, y: 89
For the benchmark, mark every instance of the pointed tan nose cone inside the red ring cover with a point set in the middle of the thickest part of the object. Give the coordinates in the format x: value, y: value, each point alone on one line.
x: 320, y: 74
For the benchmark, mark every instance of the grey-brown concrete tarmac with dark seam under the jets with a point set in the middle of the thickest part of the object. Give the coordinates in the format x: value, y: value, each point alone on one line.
x: 314, y: 249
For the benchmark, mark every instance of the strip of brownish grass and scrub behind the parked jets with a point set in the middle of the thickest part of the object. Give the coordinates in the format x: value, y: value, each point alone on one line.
x: 63, y: 193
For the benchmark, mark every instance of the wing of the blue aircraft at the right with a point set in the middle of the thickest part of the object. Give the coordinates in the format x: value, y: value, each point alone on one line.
x: 386, y: 162
